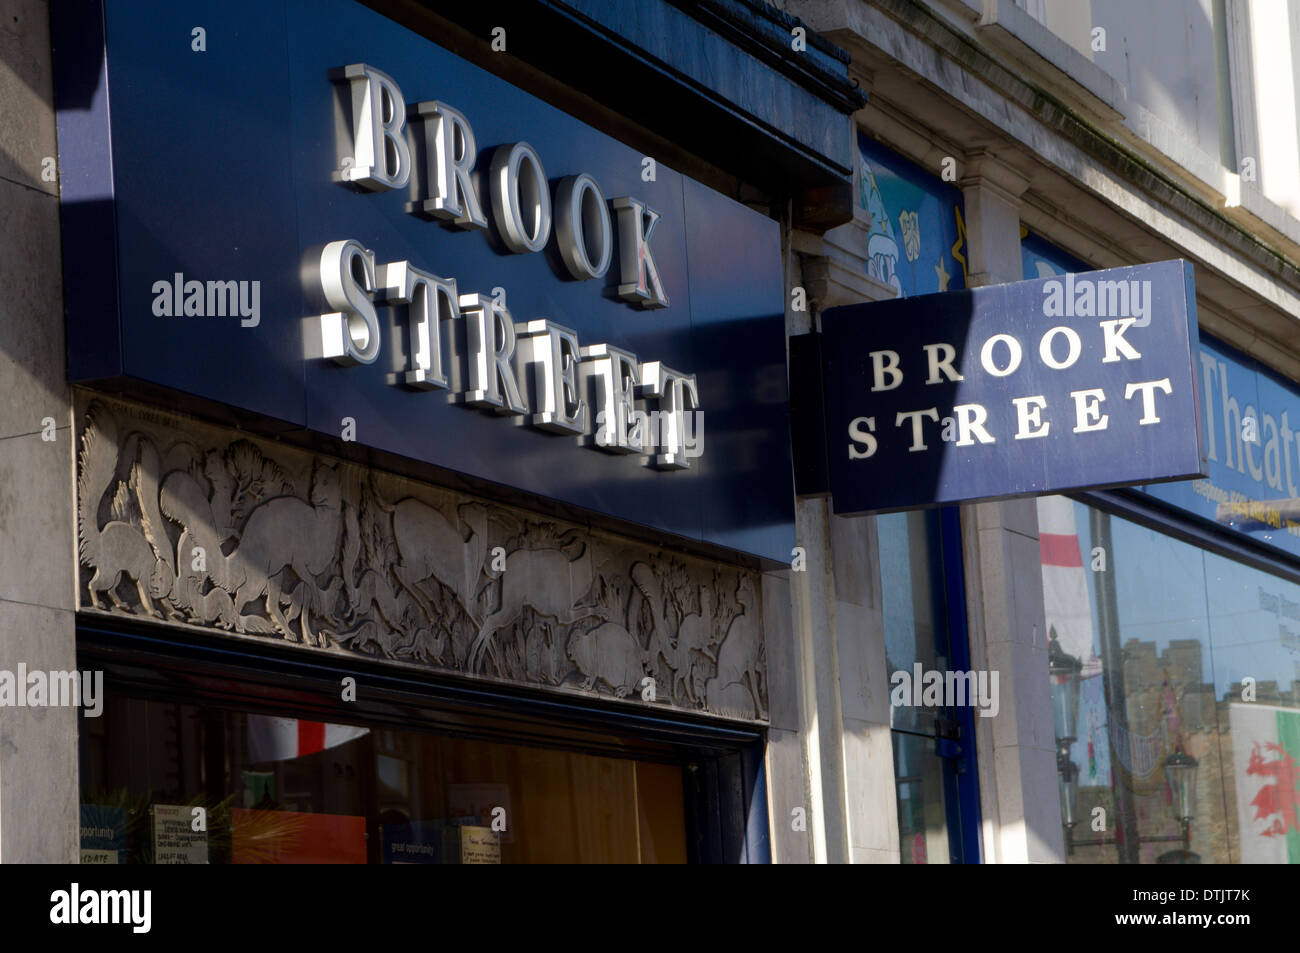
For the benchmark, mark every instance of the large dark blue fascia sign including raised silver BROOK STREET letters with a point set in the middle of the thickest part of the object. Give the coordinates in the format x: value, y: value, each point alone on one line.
x: 327, y: 223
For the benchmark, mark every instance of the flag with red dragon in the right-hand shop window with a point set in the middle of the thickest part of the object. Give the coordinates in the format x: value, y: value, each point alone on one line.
x: 1267, y: 770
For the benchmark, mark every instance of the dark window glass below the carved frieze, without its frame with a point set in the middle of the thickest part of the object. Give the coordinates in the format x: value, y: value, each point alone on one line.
x: 293, y: 791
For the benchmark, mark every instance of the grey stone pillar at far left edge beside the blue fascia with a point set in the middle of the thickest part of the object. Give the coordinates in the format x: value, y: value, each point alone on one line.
x: 40, y: 795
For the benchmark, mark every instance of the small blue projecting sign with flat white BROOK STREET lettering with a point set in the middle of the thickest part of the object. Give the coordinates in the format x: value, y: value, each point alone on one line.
x: 1030, y: 388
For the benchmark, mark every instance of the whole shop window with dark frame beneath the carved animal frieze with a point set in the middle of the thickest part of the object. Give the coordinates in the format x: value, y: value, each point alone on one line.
x: 201, y: 765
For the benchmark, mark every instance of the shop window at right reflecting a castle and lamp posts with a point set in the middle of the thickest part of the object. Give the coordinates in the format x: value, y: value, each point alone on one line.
x: 1176, y: 687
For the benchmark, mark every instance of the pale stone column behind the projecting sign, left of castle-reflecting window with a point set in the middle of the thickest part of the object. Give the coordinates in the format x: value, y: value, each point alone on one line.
x: 1004, y: 588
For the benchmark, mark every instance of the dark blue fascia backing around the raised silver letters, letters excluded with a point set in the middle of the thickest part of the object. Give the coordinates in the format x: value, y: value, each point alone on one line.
x: 222, y: 170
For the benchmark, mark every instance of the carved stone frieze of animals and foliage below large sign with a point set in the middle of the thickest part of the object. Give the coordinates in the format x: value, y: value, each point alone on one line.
x: 197, y: 526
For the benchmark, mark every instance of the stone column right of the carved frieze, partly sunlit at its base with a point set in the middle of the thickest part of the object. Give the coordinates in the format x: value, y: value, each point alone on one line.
x: 835, y: 696
